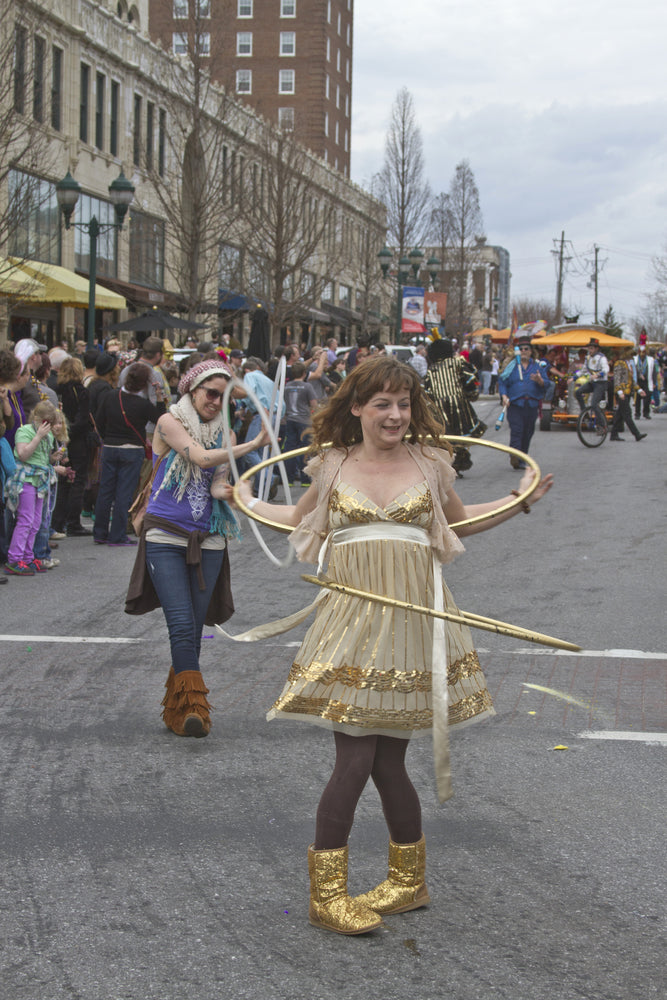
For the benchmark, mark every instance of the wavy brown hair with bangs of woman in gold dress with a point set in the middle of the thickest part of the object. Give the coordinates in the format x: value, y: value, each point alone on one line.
x: 336, y: 423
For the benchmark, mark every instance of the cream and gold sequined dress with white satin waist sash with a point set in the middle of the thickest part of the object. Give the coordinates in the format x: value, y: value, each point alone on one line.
x: 366, y: 668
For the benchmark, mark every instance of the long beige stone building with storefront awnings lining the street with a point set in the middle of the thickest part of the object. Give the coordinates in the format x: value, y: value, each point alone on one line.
x: 95, y: 95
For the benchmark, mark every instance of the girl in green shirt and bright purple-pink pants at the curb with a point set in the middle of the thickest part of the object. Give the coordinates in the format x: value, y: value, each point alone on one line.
x: 28, y: 487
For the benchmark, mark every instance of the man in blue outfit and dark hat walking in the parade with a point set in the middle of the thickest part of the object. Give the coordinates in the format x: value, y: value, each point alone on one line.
x: 522, y: 385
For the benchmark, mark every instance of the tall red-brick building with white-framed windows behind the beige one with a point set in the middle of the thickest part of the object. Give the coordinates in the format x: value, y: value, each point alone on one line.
x: 290, y: 59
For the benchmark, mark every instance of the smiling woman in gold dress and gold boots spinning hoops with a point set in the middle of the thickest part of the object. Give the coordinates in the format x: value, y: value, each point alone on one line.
x: 375, y: 675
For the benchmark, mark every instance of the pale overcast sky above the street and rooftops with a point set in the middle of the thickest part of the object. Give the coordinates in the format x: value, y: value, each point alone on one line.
x: 561, y: 109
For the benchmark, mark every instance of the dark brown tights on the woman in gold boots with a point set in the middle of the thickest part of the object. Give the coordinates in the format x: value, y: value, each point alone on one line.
x: 381, y: 758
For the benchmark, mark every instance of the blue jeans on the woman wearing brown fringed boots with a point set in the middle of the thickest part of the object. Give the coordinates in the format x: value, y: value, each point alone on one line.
x: 183, y: 603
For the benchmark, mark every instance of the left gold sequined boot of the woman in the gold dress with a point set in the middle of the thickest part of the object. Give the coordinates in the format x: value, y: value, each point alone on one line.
x: 330, y: 905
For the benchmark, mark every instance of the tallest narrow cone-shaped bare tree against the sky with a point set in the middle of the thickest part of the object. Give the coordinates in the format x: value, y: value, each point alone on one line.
x: 401, y: 181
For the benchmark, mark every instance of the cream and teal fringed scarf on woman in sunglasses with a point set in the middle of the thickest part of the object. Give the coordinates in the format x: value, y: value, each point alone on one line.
x: 179, y: 472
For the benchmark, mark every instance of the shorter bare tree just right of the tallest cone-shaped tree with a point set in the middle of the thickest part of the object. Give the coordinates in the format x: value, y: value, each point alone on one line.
x: 459, y: 219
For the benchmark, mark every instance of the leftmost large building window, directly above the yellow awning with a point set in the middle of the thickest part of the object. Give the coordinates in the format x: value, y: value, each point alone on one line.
x: 33, y: 224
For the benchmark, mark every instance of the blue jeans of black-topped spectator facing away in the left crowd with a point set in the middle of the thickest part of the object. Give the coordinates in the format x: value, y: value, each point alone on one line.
x: 119, y: 475
